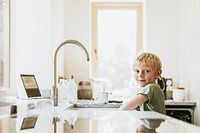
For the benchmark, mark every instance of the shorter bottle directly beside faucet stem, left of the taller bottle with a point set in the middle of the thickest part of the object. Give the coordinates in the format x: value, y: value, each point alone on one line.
x: 62, y: 89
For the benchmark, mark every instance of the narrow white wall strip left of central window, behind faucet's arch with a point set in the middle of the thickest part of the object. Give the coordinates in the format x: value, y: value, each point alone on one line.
x: 77, y: 26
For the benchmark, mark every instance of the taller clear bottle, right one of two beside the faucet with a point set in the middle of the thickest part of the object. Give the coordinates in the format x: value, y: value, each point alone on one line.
x: 71, y: 90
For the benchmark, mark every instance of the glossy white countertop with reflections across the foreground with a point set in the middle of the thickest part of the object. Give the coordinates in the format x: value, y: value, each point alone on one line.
x: 39, y: 115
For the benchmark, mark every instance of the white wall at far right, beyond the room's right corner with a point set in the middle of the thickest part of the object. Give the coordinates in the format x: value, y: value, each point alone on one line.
x: 189, y: 40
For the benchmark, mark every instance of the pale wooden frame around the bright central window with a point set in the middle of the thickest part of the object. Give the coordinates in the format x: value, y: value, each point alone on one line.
x: 96, y: 6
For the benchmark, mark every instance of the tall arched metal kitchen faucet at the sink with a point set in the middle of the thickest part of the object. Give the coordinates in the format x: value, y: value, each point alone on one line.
x: 55, y: 88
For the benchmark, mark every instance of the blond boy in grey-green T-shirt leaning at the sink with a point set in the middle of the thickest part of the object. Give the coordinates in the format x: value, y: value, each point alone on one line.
x: 147, y: 69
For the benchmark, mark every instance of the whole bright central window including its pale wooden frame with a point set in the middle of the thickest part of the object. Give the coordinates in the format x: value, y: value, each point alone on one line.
x: 116, y: 39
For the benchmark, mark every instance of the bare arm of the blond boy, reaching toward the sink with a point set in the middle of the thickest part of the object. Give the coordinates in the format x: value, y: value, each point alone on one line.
x: 134, y: 102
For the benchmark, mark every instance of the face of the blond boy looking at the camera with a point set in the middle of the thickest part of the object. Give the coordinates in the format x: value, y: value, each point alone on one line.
x: 144, y: 74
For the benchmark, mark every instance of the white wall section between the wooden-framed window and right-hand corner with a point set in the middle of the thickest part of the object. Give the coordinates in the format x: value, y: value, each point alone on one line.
x: 162, y: 34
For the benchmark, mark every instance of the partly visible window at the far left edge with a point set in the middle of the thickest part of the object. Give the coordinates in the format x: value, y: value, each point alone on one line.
x: 4, y: 43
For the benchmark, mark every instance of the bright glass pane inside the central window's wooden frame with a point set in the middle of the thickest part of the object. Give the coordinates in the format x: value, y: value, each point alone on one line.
x: 117, y: 29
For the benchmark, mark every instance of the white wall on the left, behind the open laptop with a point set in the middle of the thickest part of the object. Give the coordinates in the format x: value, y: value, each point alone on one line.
x: 36, y: 29
